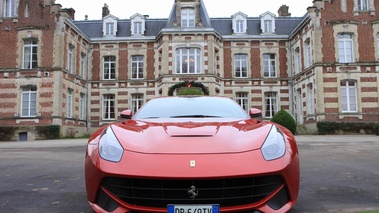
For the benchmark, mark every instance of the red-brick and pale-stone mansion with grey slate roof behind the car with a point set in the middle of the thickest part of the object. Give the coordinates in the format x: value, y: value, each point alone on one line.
x: 55, y: 70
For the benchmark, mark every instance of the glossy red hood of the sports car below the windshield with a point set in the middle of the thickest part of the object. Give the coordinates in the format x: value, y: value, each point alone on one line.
x: 191, y: 136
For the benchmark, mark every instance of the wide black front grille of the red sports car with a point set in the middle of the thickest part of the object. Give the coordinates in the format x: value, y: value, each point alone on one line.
x: 160, y: 192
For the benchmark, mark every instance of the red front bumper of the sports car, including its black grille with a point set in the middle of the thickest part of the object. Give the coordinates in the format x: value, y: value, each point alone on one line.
x: 259, y: 185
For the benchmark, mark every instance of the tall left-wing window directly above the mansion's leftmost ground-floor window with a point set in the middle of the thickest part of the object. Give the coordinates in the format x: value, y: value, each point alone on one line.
x: 30, y: 49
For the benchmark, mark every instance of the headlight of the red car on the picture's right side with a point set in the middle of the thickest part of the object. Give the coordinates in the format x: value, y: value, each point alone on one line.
x: 274, y: 145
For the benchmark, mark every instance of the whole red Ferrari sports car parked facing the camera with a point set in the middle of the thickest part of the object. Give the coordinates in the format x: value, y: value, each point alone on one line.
x: 192, y: 155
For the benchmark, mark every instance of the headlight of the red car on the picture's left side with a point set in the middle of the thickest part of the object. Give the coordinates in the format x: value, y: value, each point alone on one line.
x: 109, y: 147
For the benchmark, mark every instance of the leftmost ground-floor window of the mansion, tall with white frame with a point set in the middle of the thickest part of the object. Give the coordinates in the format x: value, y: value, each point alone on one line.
x: 29, y: 101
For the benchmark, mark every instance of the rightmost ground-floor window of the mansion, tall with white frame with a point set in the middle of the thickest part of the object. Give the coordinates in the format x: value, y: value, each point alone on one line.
x: 349, y: 96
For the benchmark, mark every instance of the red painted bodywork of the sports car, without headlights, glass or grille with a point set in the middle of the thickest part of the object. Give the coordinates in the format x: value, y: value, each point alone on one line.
x: 192, y: 148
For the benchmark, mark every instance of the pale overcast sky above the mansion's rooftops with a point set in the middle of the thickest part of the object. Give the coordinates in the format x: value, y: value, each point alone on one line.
x: 124, y: 9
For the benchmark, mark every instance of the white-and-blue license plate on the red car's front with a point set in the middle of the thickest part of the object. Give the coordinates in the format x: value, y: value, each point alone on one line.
x: 193, y: 208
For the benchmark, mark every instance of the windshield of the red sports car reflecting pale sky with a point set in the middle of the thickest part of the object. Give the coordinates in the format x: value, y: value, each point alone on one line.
x: 191, y: 107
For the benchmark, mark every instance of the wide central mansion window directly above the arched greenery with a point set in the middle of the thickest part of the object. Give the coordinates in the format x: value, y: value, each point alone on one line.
x: 188, y: 61
